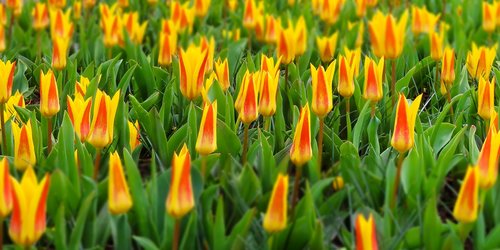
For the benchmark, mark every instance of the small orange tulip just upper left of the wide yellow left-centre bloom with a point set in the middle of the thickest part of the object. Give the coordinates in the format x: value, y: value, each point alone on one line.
x: 168, y: 43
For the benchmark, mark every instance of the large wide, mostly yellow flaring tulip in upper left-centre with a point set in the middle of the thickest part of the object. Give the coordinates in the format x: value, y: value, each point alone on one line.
x: 192, y: 71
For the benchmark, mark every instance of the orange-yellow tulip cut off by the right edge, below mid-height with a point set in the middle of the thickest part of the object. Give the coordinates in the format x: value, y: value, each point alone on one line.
x: 488, y: 159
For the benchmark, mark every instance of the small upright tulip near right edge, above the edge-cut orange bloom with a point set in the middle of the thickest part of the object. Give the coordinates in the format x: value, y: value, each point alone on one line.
x: 485, y: 96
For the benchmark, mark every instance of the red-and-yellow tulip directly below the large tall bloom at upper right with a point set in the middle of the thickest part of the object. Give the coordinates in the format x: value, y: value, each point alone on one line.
x: 373, y: 80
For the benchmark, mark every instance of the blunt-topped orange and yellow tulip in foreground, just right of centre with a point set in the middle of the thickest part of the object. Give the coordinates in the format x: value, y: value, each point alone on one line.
x: 276, y: 215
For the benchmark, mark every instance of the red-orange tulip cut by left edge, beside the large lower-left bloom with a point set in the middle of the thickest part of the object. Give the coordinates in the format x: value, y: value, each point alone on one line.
x: 5, y: 189
